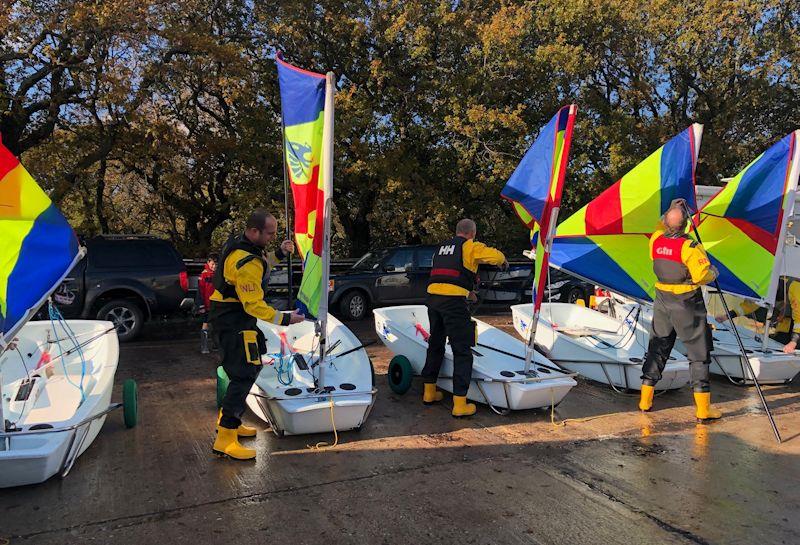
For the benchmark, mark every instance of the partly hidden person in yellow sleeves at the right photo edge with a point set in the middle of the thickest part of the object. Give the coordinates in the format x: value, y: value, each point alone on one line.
x: 785, y: 317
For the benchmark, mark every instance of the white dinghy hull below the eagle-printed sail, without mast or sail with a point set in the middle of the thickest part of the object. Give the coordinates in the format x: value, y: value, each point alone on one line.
x: 296, y: 408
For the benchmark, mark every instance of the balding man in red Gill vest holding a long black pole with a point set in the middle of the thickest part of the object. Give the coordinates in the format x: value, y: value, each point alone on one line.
x: 681, y: 266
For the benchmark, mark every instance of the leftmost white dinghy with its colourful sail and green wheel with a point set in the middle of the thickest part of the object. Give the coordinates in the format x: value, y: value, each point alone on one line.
x: 56, y: 376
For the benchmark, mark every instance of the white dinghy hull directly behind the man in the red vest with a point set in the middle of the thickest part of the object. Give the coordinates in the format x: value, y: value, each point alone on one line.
x: 588, y: 342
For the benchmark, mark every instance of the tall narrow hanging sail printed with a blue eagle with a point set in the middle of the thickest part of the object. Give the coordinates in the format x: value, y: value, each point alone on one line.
x: 303, y: 109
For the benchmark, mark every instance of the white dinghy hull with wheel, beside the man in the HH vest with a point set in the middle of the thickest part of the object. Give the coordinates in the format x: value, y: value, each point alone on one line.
x: 498, y: 377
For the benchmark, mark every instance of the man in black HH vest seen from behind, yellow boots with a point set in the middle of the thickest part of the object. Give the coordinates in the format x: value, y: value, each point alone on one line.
x: 452, y: 281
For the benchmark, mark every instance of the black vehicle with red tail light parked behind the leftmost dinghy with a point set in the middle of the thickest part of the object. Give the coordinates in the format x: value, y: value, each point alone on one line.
x: 125, y: 279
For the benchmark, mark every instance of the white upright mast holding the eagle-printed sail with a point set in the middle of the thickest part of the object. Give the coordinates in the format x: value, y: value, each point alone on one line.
x: 327, y: 181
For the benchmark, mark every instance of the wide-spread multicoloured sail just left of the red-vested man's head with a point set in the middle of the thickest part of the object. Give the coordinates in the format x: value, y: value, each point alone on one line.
x: 607, y: 241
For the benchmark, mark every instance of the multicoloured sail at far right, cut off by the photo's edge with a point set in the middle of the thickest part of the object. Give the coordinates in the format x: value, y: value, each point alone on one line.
x: 743, y: 225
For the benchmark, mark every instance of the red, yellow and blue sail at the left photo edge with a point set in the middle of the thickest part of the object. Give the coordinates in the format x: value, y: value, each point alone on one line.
x: 37, y: 246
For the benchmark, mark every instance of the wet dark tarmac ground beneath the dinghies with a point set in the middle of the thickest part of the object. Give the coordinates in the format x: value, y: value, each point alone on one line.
x: 594, y: 471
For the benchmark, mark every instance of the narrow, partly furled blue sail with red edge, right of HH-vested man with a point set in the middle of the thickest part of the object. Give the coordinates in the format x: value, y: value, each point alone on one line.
x: 535, y: 188
